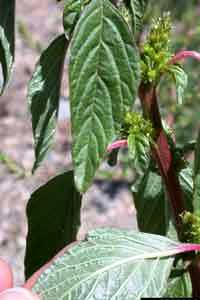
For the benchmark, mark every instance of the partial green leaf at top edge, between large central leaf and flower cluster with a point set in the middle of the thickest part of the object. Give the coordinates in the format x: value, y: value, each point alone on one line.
x: 137, y: 9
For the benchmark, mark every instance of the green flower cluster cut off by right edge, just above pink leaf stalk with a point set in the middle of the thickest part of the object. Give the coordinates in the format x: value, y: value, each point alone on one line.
x: 190, y: 227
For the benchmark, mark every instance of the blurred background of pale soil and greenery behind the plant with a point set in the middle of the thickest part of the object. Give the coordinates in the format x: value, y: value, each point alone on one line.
x: 109, y: 201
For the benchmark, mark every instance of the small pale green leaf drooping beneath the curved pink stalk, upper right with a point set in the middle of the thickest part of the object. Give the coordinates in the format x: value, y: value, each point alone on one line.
x: 180, y: 79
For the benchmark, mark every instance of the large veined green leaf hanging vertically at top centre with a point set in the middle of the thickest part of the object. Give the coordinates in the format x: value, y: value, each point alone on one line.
x: 104, y: 78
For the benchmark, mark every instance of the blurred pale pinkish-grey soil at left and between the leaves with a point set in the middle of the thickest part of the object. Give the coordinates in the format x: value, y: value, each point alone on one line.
x: 107, y: 203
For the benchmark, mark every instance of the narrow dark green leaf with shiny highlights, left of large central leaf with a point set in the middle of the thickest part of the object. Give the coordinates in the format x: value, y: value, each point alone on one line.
x: 44, y: 94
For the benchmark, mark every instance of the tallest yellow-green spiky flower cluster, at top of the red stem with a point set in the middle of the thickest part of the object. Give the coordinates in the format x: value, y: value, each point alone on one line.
x: 156, y: 51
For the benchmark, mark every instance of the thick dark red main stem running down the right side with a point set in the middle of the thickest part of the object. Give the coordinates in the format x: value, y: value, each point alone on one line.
x: 163, y: 156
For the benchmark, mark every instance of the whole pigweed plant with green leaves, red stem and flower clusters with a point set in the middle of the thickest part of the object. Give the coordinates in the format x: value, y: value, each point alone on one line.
x: 108, y: 70
